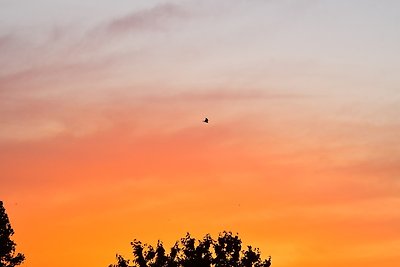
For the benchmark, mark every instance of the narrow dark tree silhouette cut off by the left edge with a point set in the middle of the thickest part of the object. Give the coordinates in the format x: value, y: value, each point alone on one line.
x: 8, y: 258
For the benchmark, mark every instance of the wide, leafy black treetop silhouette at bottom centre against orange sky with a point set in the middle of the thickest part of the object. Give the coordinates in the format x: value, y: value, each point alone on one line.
x: 226, y: 251
